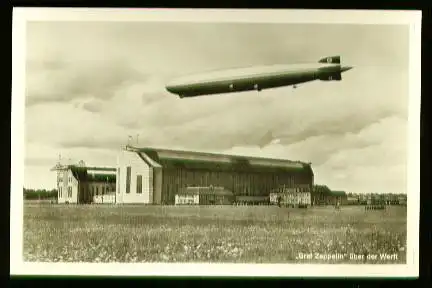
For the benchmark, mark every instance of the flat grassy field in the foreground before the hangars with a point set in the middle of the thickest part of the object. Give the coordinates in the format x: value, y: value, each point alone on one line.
x: 242, y: 234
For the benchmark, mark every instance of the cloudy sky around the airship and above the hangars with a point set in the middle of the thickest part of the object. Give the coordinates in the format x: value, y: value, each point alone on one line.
x: 91, y: 85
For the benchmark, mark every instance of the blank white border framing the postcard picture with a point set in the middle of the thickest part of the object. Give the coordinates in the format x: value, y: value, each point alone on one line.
x: 22, y: 15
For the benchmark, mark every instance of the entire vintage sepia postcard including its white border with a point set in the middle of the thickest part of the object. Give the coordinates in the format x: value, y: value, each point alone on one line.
x: 215, y: 142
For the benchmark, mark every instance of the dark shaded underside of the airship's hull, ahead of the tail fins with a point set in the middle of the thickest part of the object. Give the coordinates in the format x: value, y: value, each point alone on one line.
x: 245, y: 84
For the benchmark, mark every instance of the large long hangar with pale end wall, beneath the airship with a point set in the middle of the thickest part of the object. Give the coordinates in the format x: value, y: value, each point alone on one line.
x: 156, y: 176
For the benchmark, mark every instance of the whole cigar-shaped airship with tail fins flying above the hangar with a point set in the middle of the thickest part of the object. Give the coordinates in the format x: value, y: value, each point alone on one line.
x: 257, y: 78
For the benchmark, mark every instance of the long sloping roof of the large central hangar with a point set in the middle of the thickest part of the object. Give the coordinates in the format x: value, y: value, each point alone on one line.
x: 203, y: 160
